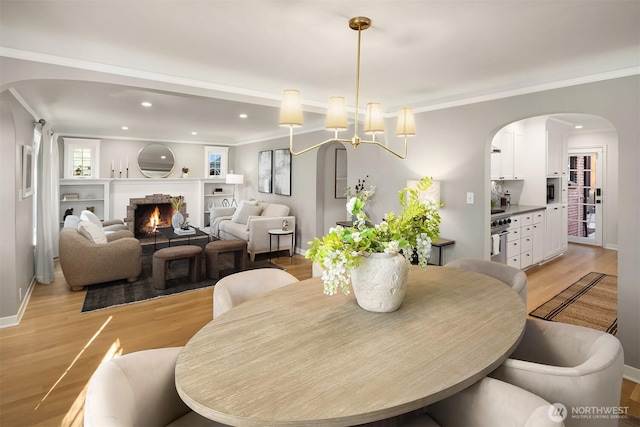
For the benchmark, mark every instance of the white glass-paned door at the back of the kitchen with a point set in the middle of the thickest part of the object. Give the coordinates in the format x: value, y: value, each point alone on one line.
x: 585, y: 198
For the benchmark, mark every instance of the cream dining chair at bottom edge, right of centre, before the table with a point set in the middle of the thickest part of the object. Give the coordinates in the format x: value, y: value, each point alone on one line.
x: 487, y: 403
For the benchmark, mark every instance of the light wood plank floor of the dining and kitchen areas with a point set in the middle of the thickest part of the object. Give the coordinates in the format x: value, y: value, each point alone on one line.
x: 46, y: 361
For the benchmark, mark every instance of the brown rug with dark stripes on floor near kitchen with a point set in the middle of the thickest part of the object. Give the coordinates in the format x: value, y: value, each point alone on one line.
x: 592, y: 302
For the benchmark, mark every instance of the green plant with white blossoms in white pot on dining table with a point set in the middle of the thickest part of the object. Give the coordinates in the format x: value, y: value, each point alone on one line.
x: 344, y: 250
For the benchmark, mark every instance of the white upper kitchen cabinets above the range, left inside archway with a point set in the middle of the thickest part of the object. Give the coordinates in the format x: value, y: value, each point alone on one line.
x: 509, y: 163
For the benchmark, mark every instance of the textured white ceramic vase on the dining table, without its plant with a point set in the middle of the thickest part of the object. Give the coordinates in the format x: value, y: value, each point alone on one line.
x: 380, y: 282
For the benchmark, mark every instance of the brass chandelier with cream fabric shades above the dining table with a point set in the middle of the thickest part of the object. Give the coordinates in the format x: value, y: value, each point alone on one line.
x: 291, y: 112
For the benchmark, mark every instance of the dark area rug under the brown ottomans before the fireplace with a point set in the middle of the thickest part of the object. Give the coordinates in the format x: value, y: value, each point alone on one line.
x: 112, y: 294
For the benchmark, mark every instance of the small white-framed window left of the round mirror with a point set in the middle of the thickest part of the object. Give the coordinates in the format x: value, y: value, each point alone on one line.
x: 81, y: 158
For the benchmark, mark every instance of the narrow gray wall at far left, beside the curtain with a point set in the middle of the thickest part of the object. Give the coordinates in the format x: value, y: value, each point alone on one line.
x: 16, y: 253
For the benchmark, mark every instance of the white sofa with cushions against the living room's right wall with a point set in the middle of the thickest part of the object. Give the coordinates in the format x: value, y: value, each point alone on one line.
x: 251, y: 222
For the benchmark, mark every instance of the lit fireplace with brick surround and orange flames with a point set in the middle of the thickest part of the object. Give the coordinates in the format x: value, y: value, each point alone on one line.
x: 146, y: 214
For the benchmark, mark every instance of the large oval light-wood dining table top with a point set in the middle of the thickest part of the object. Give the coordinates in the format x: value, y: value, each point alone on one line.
x: 297, y: 357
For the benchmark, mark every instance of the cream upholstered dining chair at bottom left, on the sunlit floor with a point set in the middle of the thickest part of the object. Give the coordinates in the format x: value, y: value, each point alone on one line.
x: 138, y: 389
